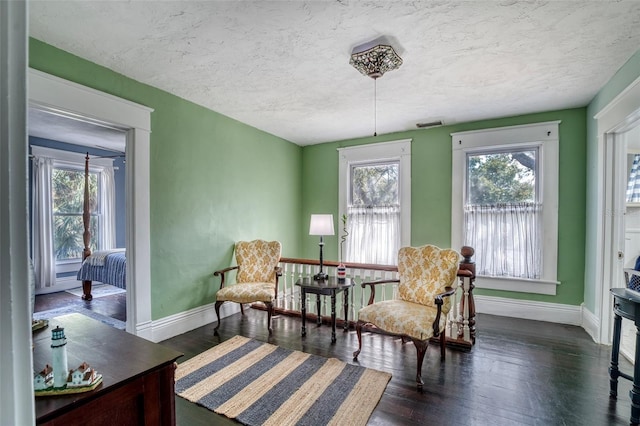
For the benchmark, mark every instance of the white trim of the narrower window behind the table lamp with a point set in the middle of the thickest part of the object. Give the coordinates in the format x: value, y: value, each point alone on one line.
x: 399, y: 150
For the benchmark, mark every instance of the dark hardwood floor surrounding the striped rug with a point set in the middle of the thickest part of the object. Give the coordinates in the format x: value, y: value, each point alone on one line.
x: 519, y: 372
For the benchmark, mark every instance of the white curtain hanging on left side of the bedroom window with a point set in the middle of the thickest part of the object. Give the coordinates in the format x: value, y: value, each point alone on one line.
x: 43, y: 256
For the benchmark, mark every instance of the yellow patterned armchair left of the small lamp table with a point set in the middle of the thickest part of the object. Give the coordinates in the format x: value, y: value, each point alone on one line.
x: 256, y: 278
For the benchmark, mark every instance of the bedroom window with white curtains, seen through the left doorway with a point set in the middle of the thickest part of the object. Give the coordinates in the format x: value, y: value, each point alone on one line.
x: 58, y: 198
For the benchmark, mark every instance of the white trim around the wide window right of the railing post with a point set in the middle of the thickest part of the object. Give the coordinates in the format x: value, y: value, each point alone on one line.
x: 546, y: 136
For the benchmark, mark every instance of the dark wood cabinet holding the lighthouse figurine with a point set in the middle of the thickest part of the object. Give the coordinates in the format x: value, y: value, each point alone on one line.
x: 137, y: 376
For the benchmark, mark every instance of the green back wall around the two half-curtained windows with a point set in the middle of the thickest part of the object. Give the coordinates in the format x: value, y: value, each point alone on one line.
x: 431, y: 193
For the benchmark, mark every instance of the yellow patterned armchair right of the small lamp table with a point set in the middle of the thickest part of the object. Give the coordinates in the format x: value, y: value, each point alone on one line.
x: 426, y: 277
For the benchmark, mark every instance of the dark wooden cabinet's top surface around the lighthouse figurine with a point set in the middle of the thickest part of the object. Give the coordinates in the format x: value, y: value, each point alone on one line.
x: 119, y: 356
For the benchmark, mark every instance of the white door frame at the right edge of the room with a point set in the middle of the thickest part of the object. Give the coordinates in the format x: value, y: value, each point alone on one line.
x: 618, y: 116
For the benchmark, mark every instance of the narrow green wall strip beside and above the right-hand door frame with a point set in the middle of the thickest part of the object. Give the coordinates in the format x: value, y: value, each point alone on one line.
x: 626, y: 75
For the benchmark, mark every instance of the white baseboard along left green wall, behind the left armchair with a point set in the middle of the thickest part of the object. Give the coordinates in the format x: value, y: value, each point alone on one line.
x: 182, y: 322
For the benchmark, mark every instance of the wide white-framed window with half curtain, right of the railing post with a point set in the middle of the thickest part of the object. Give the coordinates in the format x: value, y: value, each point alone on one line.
x: 504, y: 205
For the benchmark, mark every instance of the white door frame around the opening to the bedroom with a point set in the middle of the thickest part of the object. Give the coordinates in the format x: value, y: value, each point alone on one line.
x: 80, y: 102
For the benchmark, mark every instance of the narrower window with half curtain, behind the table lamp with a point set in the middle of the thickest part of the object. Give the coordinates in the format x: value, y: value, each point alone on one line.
x: 375, y: 194
